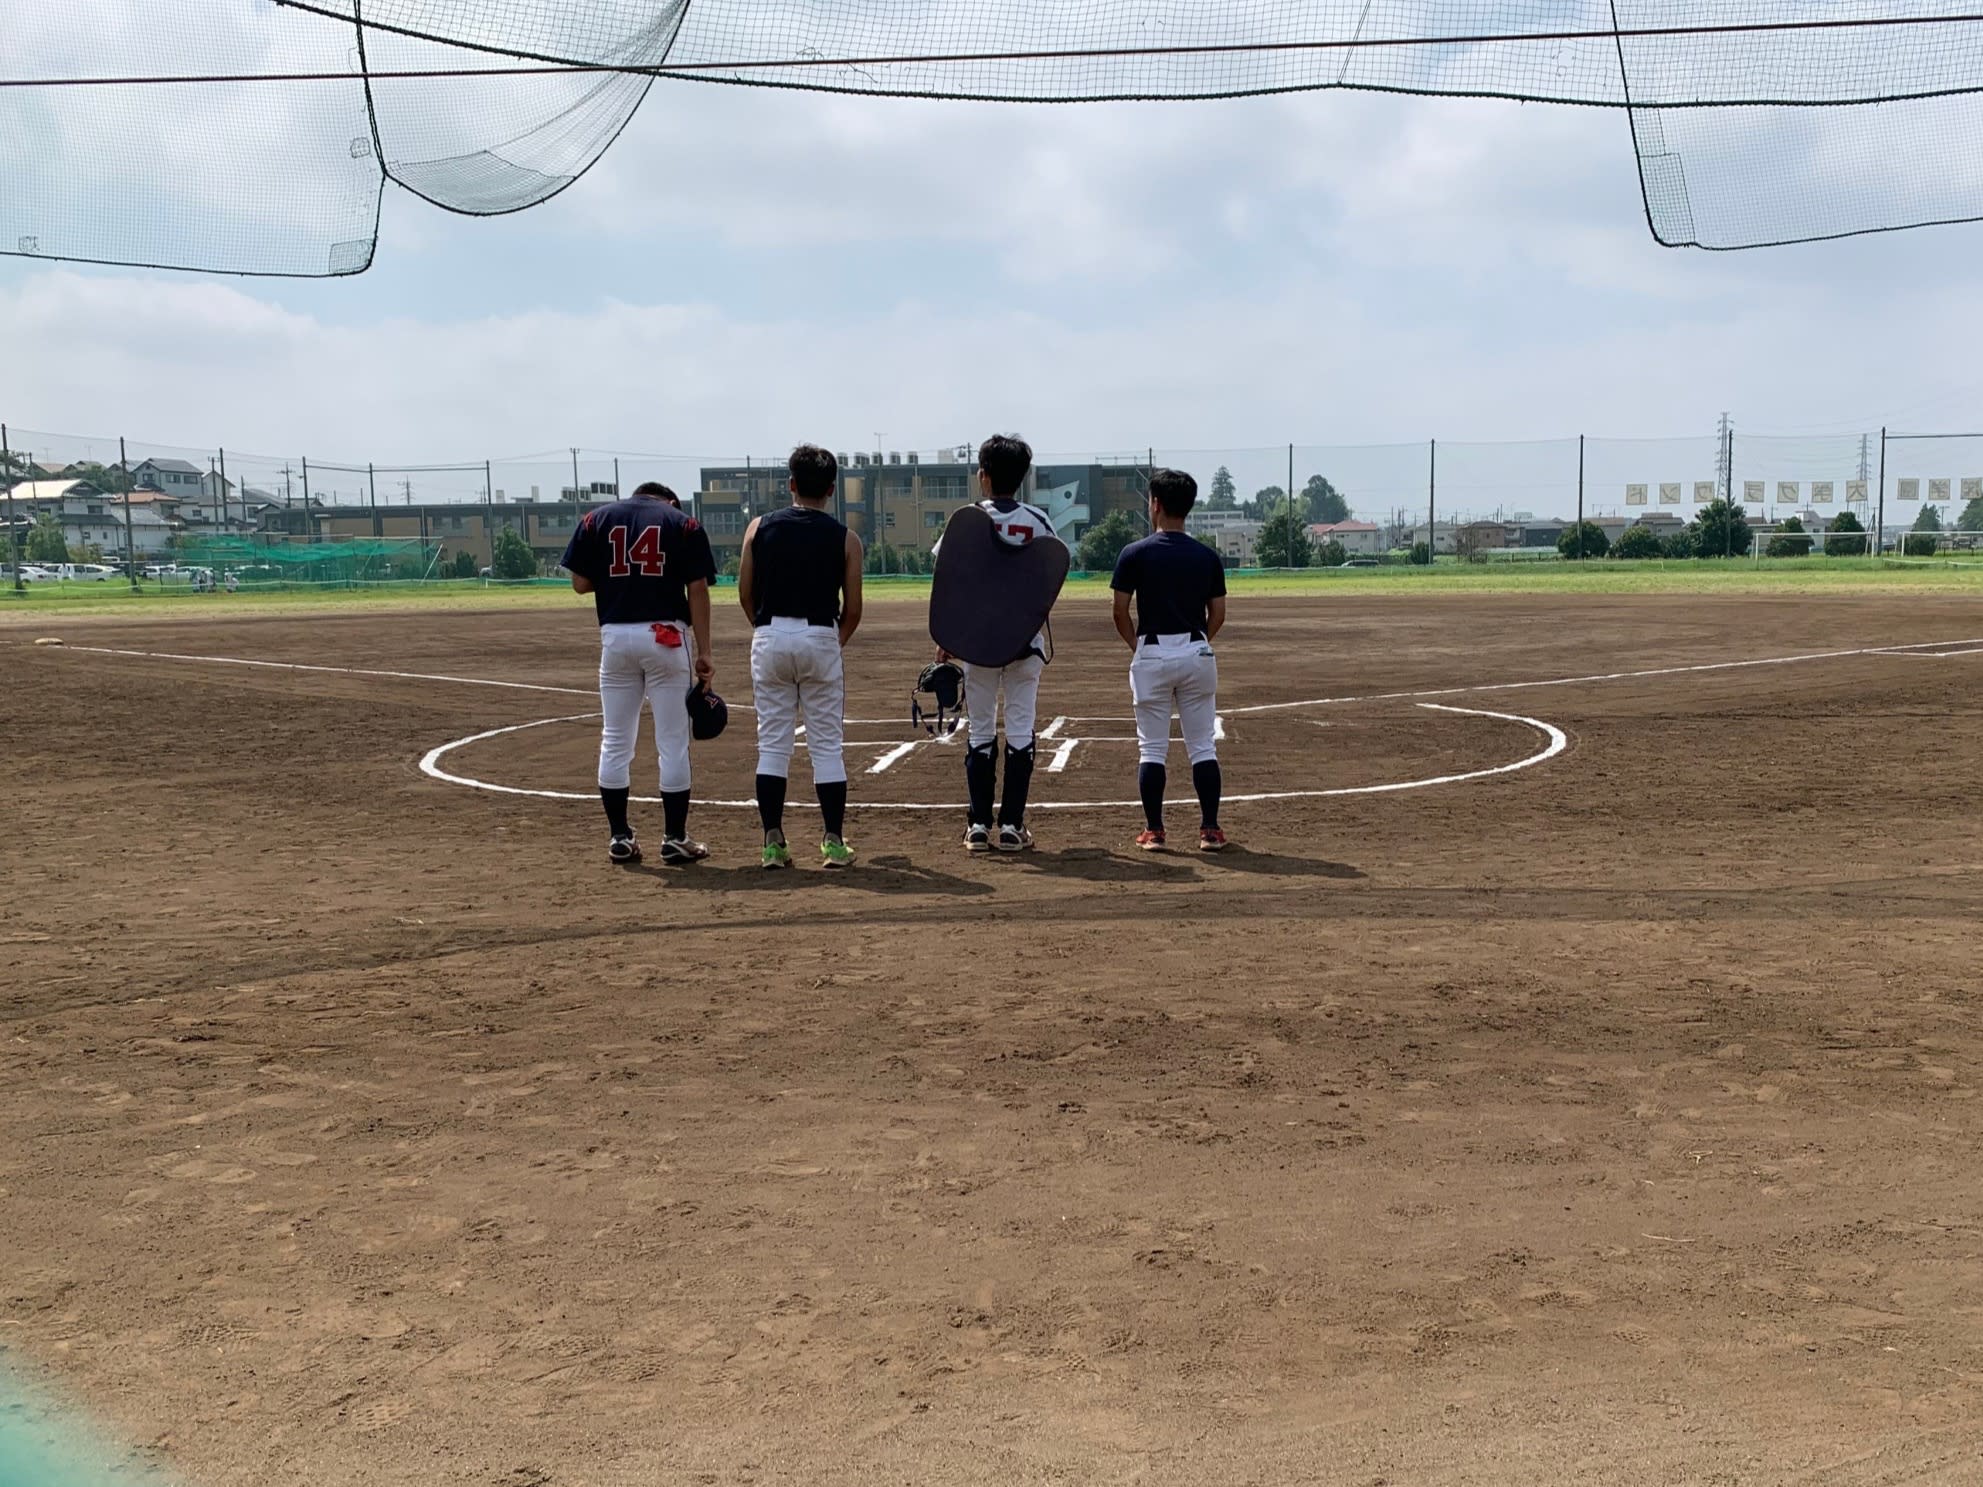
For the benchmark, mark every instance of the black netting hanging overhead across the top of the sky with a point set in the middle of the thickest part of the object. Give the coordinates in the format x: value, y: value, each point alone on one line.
x: 255, y: 138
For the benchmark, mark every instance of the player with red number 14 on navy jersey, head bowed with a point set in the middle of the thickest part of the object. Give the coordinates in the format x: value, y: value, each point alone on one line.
x: 647, y: 570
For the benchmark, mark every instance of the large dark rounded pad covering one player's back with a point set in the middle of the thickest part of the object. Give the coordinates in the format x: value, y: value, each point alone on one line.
x: 991, y: 600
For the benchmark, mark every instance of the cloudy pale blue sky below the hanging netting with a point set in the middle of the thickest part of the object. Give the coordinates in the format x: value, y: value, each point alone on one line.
x: 749, y: 269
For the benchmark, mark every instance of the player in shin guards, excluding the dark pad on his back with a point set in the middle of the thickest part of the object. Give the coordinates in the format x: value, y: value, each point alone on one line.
x: 1002, y: 469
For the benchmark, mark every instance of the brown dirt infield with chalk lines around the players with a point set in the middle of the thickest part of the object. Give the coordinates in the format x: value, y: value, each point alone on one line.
x: 1603, y: 1121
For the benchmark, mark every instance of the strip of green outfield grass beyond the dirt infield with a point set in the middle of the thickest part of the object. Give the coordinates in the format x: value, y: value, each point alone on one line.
x: 1815, y: 576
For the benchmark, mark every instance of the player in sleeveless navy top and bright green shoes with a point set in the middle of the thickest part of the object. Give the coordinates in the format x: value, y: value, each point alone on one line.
x: 800, y: 584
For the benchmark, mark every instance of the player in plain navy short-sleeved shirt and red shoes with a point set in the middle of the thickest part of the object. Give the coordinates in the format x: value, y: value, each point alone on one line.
x: 1179, y: 588
